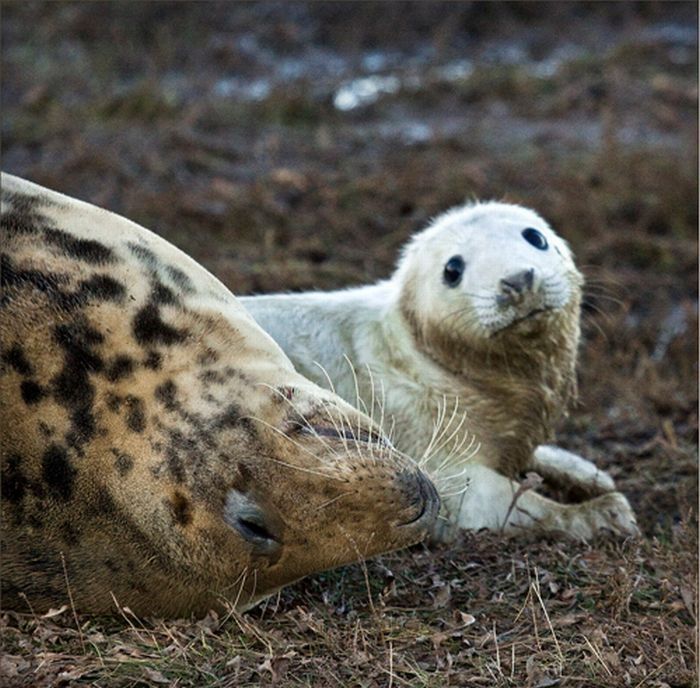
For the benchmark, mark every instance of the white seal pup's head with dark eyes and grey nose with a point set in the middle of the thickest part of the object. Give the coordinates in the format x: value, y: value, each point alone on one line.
x: 486, y: 275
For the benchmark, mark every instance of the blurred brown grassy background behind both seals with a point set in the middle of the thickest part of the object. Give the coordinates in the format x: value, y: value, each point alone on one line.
x: 297, y: 145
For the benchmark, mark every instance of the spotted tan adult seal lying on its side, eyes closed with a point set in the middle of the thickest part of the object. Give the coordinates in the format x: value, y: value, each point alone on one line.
x: 158, y: 449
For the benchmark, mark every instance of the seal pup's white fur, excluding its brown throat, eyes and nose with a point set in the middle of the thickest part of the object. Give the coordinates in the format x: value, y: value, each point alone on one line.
x: 357, y: 342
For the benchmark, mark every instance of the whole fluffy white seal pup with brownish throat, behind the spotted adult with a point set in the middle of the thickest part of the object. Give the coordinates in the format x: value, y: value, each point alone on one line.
x: 471, y: 349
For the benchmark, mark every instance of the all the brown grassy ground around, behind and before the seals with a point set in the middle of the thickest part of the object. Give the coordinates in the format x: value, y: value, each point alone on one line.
x: 290, y: 146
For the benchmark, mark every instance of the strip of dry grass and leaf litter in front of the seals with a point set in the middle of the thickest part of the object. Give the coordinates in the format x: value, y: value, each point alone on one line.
x: 476, y: 613
